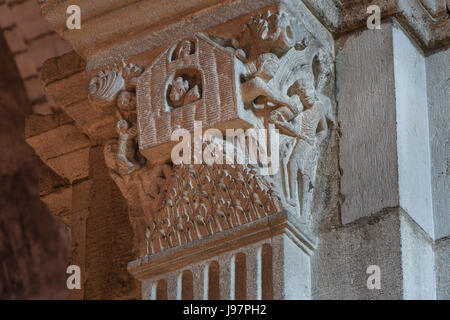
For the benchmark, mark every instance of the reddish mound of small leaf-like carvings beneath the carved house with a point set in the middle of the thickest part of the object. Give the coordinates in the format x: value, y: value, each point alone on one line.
x: 182, y: 203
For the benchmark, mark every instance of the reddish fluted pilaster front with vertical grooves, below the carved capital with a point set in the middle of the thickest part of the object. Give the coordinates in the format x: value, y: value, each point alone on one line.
x: 244, y: 274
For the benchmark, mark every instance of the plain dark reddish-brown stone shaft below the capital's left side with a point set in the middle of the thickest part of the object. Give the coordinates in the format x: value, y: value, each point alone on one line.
x: 108, y: 238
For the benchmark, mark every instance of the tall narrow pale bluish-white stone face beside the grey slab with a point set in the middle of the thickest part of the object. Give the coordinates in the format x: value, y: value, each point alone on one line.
x: 412, y: 131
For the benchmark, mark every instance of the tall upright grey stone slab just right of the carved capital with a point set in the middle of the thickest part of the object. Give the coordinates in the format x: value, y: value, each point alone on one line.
x: 366, y: 114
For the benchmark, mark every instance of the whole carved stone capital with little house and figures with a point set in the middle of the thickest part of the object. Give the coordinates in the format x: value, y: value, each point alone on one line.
x: 271, y: 73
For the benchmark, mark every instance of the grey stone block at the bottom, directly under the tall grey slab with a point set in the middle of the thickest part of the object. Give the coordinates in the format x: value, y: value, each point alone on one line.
x: 344, y: 254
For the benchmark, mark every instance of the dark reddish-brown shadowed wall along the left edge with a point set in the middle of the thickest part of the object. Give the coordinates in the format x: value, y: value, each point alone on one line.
x: 34, y: 246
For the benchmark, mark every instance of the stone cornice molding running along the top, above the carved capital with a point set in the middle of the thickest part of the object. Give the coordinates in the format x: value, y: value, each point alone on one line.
x: 105, y: 34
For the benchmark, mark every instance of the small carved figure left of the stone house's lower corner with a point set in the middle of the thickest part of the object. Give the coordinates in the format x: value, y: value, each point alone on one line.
x: 127, y: 148
